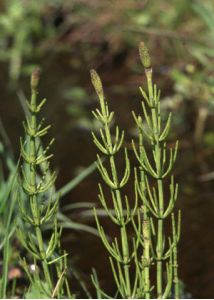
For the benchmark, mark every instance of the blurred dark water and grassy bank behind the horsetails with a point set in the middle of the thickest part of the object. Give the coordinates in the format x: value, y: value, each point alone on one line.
x: 66, y: 39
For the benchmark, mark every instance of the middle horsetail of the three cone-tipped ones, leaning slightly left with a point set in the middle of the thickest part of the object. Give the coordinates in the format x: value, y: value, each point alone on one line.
x: 121, y: 250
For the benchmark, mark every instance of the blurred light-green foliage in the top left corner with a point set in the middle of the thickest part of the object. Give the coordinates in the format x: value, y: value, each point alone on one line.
x: 21, y: 24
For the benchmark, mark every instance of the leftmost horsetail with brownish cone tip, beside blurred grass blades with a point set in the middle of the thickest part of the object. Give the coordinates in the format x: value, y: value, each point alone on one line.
x: 41, y: 207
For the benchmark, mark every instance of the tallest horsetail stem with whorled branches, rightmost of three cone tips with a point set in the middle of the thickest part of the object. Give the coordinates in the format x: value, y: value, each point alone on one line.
x: 152, y: 194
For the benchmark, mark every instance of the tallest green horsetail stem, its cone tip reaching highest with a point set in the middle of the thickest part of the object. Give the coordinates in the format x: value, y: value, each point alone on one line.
x: 156, y: 168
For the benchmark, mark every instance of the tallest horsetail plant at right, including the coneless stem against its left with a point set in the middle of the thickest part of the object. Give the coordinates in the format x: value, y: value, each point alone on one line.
x: 151, y: 186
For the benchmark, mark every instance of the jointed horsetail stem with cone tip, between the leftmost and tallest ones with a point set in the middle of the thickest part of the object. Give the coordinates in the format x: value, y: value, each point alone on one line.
x: 109, y: 148
